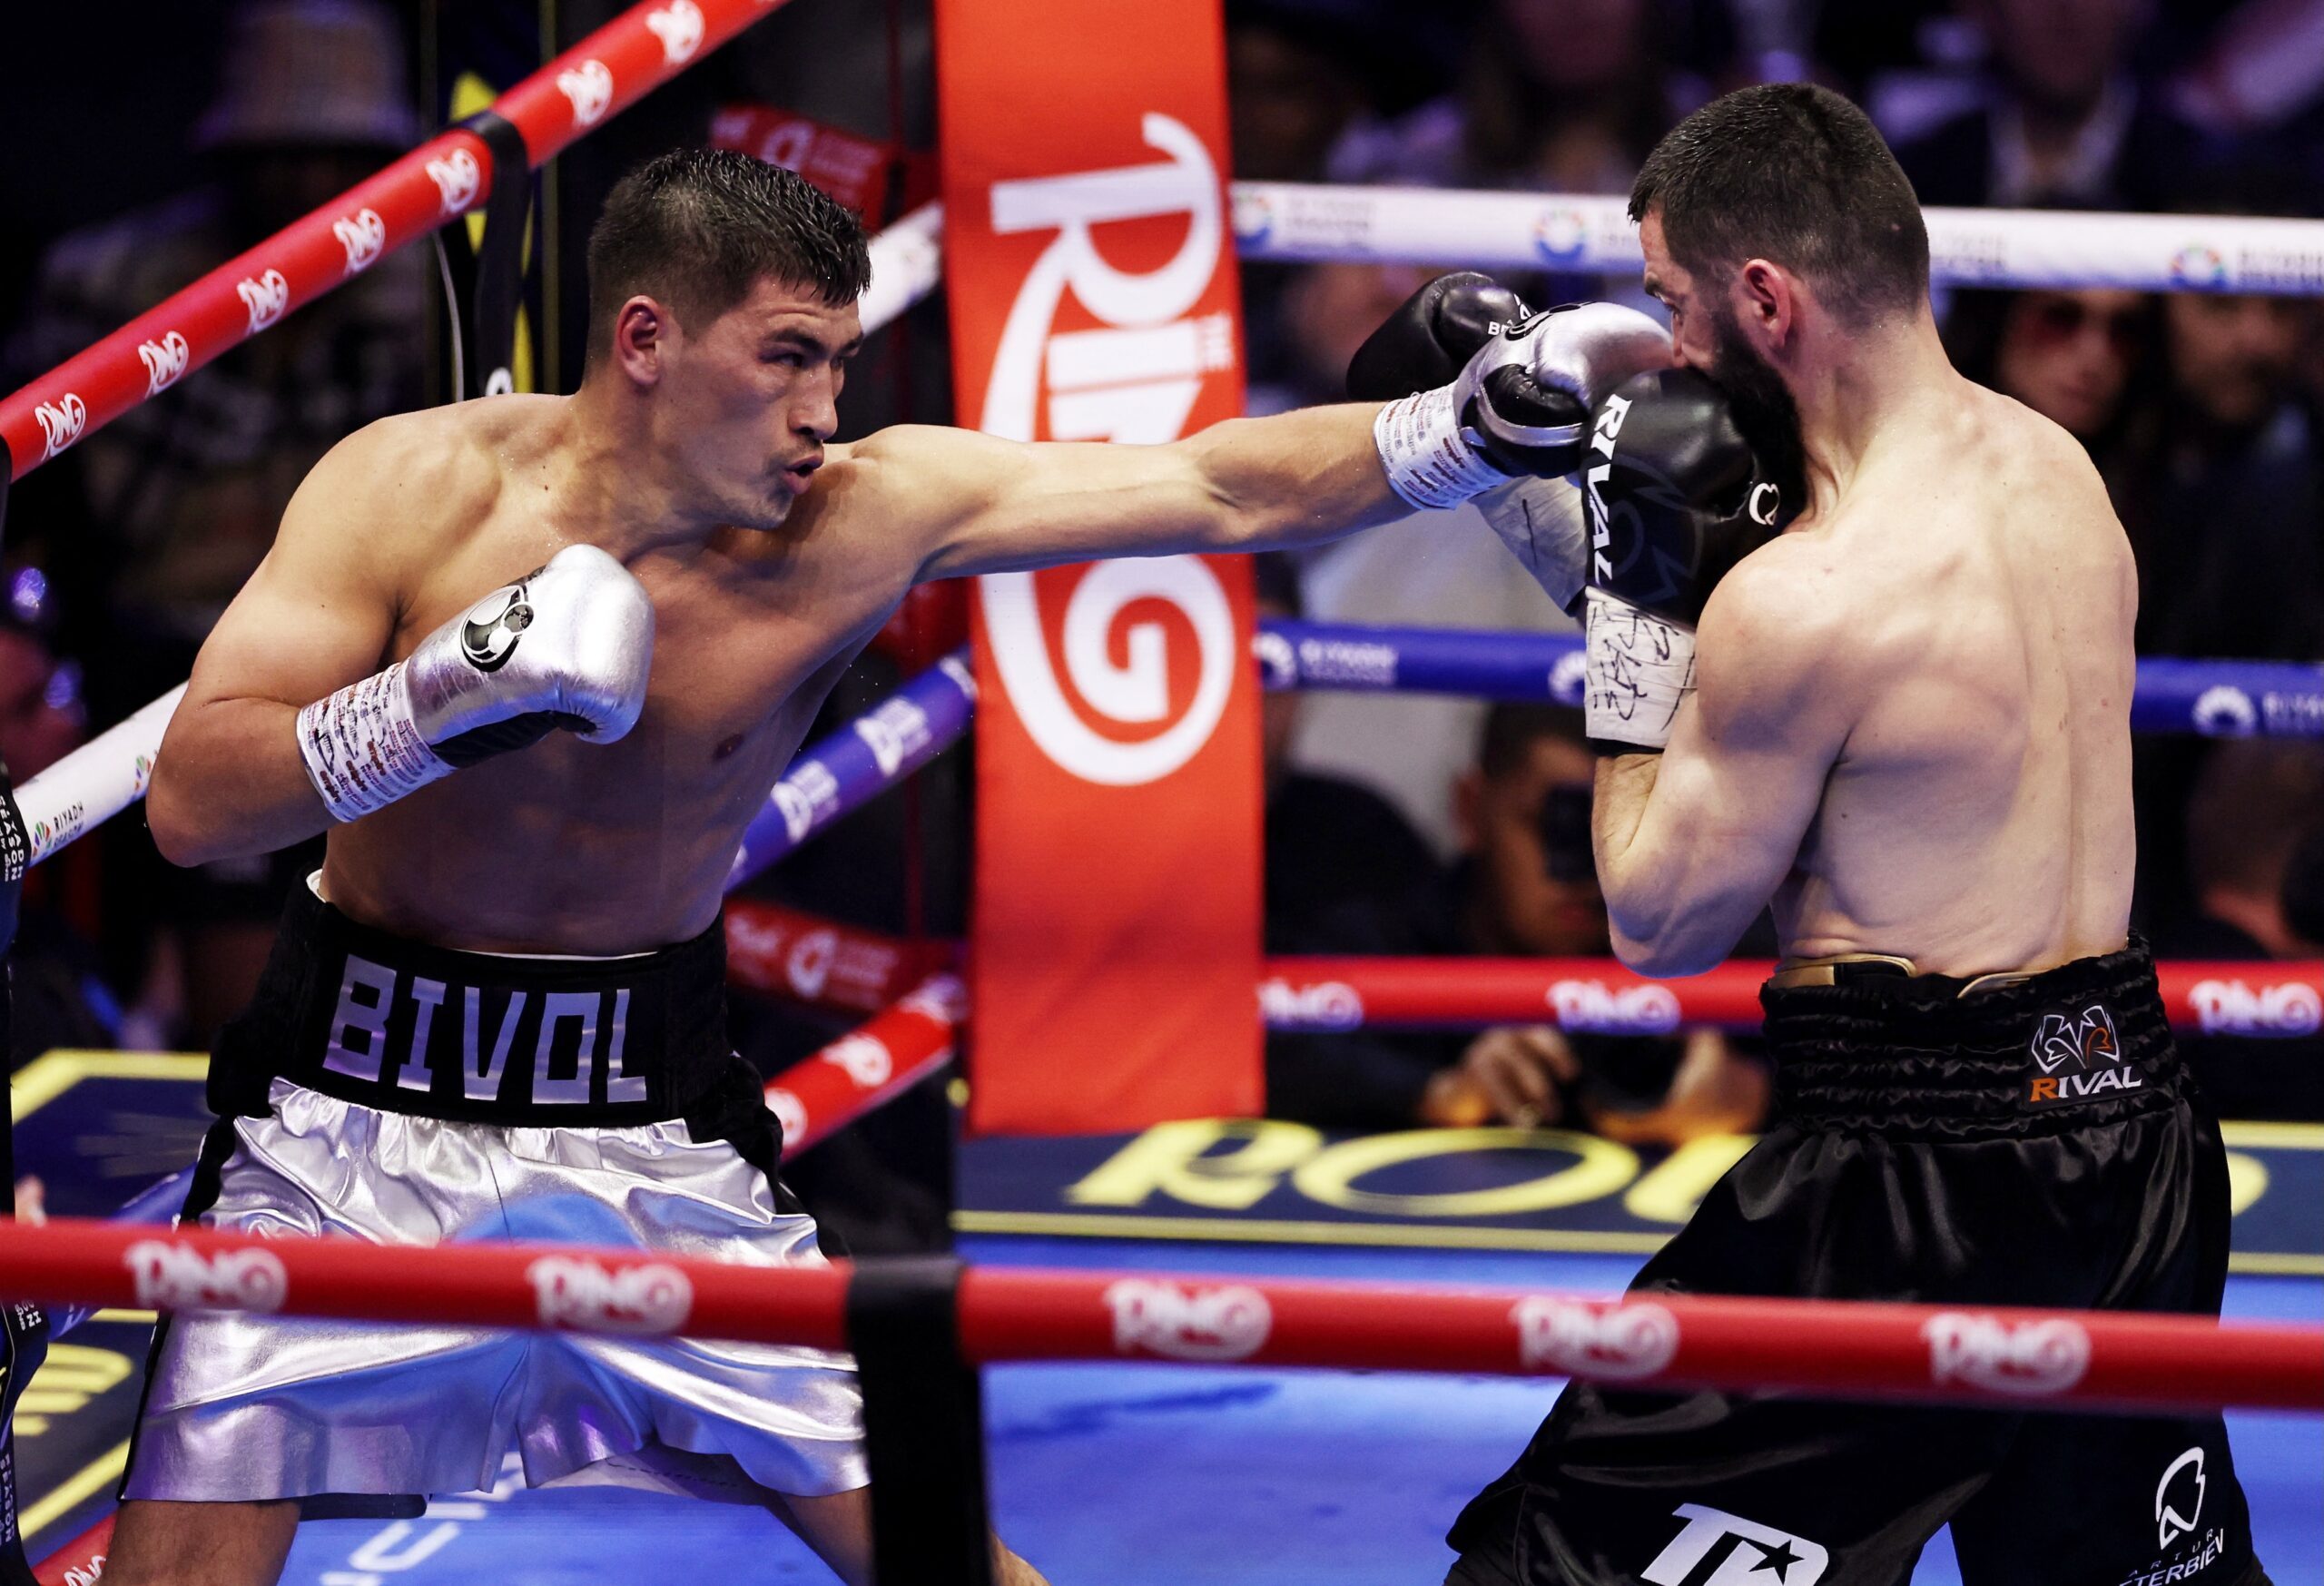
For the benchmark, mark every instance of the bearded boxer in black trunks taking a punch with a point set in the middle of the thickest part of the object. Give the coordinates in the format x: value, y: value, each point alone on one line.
x: 1905, y: 722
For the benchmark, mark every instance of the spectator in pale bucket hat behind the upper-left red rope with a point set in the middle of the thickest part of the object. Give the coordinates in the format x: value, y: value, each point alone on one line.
x: 152, y: 524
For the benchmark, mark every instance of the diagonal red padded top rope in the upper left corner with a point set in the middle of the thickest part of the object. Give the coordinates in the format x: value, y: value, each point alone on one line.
x: 424, y: 190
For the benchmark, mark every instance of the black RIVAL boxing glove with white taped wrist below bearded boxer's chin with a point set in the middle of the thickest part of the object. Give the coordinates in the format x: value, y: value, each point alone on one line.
x: 1674, y: 501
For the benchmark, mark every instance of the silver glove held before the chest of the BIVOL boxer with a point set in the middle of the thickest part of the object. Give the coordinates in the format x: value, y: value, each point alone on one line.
x: 564, y: 648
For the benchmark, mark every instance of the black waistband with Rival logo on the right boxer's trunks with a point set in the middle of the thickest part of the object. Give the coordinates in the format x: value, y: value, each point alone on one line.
x: 2065, y: 1048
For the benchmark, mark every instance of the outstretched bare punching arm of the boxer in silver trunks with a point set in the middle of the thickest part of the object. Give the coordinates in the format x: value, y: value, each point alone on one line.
x: 975, y: 503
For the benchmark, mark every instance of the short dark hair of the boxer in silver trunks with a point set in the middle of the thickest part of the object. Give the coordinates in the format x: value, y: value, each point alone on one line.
x: 696, y: 229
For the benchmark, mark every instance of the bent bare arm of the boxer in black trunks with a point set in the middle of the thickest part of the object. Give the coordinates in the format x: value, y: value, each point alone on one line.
x: 1693, y: 843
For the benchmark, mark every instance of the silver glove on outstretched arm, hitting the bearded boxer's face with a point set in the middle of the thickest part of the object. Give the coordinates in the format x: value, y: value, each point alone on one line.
x: 1521, y: 406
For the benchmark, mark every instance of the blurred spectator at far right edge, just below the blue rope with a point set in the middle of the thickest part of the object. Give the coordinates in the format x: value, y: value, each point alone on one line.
x: 2253, y: 806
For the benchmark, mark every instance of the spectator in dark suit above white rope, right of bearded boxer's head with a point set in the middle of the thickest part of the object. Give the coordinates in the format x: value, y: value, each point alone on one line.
x: 2063, y: 120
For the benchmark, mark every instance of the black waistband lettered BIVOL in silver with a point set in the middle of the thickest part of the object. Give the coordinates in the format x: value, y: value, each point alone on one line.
x: 440, y: 1034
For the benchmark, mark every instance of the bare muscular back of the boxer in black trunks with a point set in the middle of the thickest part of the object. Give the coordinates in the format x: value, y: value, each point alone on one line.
x: 1979, y: 813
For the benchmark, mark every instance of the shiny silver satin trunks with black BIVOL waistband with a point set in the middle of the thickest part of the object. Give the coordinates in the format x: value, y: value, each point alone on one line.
x: 406, y: 1094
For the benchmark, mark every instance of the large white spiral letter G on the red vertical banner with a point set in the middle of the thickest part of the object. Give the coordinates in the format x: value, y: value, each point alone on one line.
x: 1131, y: 694
